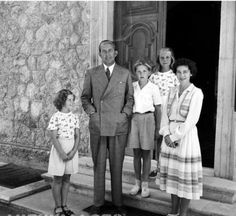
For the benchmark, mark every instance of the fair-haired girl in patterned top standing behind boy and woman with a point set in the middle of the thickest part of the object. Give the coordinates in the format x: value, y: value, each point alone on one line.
x: 165, y: 79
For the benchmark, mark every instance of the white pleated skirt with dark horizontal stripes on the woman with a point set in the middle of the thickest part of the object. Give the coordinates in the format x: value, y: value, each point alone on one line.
x: 181, y: 167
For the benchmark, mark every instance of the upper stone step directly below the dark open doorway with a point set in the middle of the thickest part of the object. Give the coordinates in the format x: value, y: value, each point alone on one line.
x: 214, y: 188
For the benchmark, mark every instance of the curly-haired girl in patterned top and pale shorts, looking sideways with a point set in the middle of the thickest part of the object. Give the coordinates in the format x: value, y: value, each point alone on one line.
x: 63, y: 160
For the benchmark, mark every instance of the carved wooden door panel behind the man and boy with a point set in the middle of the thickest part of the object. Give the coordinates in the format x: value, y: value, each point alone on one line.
x: 139, y: 30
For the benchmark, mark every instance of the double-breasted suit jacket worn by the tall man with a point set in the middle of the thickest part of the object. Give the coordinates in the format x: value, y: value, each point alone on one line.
x: 111, y: 101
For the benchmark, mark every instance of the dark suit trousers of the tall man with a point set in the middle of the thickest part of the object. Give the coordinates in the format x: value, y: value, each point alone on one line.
x: 115, y: 146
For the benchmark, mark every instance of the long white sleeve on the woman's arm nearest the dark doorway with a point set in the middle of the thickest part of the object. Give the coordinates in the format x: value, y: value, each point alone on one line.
x: 192, y: 118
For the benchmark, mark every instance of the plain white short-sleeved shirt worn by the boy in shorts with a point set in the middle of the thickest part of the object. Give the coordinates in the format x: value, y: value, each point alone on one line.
x: 146, y: 98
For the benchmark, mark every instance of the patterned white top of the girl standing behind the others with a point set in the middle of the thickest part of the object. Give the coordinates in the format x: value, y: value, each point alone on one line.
x: 165, y: 81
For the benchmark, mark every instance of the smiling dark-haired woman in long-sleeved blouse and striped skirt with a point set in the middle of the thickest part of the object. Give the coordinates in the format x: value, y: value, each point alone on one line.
x: 180, y: 159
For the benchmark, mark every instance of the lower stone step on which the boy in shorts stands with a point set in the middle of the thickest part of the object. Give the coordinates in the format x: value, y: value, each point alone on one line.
x: 159, y: 202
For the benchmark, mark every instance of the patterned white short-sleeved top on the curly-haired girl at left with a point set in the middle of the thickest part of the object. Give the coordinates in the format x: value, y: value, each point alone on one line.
x: 64, y: 123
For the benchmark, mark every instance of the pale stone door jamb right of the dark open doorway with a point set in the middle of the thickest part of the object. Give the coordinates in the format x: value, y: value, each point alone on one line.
x: 225, y: 144
